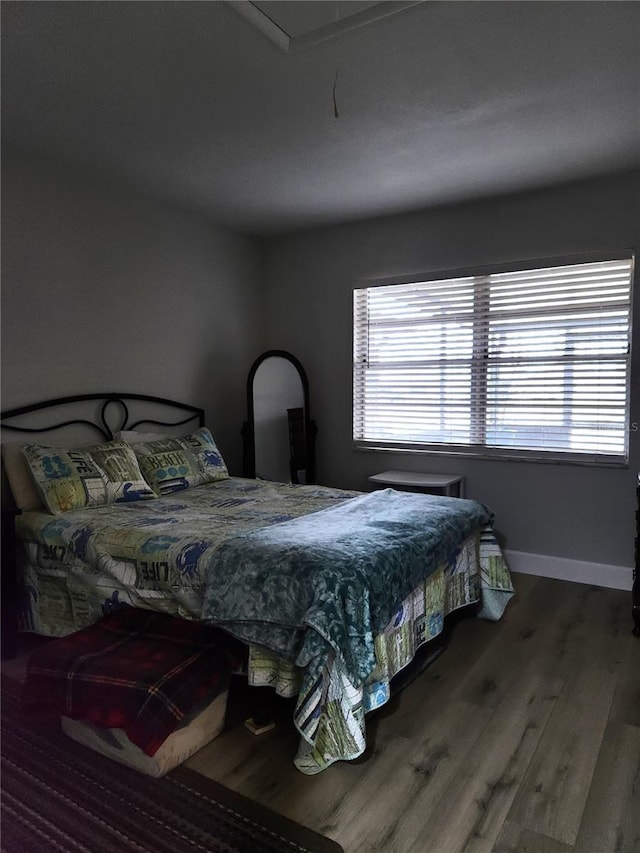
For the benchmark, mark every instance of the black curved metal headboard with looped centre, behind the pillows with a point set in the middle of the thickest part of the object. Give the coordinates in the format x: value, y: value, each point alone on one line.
x: 101, y: 416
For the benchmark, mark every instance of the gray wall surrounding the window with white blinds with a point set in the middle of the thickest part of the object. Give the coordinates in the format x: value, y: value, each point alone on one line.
x: 576, y: 512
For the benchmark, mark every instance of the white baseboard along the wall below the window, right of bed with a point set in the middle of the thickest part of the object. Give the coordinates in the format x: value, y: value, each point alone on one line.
x: 579, y: 571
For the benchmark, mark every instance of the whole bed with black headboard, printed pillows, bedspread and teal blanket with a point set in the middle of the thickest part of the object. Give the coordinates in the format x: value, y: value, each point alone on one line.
x: 332, y: 591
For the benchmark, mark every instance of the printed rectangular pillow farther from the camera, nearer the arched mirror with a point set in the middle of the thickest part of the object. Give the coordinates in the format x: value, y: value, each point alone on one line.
x: 172, y: 464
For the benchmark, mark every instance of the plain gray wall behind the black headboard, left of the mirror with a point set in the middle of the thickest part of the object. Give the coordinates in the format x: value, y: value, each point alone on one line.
x: 106, y: 291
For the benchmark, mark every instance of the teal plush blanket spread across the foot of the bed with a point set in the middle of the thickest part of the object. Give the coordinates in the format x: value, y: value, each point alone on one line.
x: 341, y: 572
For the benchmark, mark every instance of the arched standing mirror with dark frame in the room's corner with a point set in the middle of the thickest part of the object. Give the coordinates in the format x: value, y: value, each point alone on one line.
x: 279, y: 436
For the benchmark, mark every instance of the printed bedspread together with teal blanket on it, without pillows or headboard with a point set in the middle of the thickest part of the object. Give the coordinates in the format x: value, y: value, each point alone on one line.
x: 381, y: 573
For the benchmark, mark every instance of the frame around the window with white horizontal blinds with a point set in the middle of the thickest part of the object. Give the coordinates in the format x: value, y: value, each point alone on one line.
x: 481, y: 451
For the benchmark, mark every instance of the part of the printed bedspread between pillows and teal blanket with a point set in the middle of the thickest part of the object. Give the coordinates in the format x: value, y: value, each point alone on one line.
x: 155, y: 554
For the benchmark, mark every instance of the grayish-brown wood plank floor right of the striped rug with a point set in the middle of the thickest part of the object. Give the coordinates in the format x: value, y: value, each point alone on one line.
x: 523, y: 736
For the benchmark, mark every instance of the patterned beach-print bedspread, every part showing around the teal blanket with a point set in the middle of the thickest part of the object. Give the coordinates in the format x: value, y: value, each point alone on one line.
x: 79, y: 566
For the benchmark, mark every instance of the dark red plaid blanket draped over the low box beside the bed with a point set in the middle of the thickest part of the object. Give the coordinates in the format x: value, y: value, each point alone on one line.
x: 134, y: 670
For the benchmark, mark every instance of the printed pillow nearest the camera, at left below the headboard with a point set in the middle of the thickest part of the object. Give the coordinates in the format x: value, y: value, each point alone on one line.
x: 92, y: 476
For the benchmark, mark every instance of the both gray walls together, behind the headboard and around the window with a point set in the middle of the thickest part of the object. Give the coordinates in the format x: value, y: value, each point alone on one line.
x: 102, y: 289
